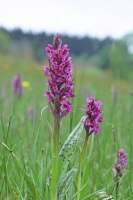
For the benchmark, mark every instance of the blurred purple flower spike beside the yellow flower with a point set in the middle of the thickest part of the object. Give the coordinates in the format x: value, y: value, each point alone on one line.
x: 17, y: 85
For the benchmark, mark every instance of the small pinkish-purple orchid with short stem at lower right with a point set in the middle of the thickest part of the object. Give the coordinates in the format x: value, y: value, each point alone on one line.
x: 120, y: 165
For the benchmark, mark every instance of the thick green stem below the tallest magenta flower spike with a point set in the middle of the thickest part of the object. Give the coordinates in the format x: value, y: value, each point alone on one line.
x: 54, y: 181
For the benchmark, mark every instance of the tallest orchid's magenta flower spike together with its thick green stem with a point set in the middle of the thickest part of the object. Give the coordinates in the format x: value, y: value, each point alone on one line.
x: 60, y: 89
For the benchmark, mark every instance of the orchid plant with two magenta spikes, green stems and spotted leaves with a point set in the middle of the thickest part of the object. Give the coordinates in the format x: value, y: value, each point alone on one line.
x: 60, y: 90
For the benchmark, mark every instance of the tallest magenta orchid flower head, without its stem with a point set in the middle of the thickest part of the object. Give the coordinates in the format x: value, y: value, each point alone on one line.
x: 59, y: 73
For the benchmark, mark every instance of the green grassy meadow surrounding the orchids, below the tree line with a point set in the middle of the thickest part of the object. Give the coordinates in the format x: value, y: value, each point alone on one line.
x: 28, y: 150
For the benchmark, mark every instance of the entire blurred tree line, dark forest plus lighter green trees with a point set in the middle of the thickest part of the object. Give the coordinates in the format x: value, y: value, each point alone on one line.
x: 103, y: 53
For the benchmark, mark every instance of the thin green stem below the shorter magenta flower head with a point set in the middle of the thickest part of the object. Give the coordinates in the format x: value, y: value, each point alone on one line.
x: 80, y: 165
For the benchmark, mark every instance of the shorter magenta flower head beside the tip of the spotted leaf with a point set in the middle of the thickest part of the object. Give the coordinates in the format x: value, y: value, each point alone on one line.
x: 93, y: 116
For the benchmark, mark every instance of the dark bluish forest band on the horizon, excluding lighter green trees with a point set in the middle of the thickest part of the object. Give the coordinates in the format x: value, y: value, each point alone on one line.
x: 35, y: 44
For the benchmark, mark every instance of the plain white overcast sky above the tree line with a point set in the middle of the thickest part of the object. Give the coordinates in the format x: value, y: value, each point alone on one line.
x: 96, y: 18
